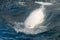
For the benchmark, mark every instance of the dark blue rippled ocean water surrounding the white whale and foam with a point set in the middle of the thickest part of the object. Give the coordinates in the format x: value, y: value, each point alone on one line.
x: 10, y: 12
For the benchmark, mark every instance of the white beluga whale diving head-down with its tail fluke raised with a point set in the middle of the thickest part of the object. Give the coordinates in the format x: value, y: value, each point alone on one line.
x: 37, y: 16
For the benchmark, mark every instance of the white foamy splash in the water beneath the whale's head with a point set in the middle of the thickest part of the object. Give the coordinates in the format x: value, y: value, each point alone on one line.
x: 36, y: 30
